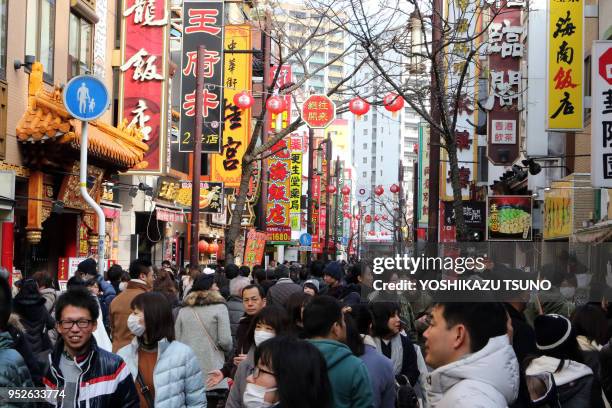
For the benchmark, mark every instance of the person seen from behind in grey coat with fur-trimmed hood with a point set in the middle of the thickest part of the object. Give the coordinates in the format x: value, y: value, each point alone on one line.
x: 203, y: 324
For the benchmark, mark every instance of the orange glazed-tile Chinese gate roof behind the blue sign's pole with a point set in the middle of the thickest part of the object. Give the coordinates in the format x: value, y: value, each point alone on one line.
x: 46, y: 120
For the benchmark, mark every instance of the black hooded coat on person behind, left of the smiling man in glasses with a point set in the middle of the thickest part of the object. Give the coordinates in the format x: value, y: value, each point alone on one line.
x: 36, y: 321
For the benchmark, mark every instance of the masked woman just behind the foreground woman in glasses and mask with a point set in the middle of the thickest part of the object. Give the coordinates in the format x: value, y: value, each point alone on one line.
x: 271, y: 321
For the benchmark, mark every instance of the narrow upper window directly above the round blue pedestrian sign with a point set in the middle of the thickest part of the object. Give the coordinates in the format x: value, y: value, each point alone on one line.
x: 79, y: 46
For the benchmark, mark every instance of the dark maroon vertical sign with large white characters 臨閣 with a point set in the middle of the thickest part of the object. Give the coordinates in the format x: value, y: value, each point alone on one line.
x: 505, y: 51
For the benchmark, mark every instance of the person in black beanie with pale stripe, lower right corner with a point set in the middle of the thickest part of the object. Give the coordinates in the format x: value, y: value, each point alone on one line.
x: 561, y: 356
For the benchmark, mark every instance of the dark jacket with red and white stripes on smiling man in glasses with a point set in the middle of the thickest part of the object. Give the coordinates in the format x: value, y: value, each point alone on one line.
x: 105, y: 380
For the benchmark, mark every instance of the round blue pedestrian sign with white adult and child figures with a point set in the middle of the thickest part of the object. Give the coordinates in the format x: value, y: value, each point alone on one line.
x: 86, y: 97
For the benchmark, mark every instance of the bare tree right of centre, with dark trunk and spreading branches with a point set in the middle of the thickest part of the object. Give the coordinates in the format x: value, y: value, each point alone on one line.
x: 440, y: 50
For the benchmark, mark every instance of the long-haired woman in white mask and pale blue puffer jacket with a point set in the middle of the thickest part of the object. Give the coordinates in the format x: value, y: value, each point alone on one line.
x: 167, y: 372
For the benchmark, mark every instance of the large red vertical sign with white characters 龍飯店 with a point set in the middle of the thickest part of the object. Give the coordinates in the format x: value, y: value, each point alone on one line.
x: 143, y: 82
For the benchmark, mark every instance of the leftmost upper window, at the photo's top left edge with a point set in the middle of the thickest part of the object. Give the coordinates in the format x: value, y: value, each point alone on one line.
x: 40, y: 33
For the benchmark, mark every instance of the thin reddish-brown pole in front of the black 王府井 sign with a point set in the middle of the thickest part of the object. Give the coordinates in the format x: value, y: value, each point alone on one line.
x: 197, y: 161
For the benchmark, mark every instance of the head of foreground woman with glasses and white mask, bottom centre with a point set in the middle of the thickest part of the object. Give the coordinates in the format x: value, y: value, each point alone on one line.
x: 288, y: 373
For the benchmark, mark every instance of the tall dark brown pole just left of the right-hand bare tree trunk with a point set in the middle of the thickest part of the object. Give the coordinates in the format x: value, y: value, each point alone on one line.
x: 434, y: 138
